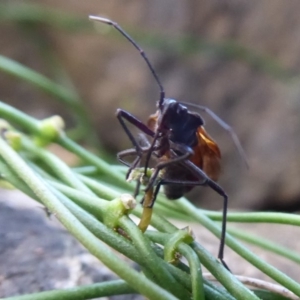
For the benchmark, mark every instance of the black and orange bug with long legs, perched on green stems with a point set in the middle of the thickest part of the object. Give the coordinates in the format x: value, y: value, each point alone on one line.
x: 187, y: 155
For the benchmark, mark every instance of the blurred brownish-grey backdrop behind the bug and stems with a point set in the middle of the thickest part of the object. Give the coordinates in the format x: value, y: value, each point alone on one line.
x: 239, y: 58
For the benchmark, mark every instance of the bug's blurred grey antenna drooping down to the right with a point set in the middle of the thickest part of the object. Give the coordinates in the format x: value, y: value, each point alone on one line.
x: 223, y: 124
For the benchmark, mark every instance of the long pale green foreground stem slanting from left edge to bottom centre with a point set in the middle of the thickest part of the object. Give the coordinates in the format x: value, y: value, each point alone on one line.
x: 97, y: 248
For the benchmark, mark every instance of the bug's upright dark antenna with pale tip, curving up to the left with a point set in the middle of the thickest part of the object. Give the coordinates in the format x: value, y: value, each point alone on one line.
x: 142, y: 52
